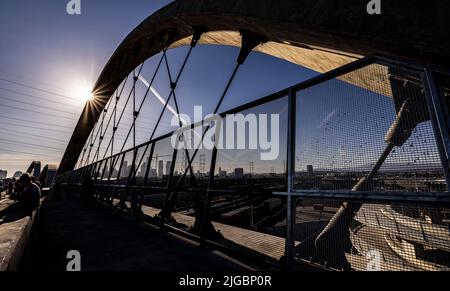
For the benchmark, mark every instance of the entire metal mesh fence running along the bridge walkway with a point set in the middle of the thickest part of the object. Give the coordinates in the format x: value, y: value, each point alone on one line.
x: 366, y: 132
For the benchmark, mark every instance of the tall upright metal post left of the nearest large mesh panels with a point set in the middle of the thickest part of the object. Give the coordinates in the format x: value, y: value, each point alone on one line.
x: 291, y: 207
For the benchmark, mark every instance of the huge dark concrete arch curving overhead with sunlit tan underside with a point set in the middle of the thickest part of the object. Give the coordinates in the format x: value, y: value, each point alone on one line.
x: 318, y: 34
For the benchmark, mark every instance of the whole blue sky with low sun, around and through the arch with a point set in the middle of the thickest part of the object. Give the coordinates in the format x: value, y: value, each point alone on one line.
x: 49, y: 61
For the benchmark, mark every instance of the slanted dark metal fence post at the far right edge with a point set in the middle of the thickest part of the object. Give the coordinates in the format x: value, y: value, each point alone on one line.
x: 439, y: 120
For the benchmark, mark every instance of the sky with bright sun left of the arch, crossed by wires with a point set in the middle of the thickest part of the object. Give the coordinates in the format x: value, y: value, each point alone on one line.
x: 43, y: 47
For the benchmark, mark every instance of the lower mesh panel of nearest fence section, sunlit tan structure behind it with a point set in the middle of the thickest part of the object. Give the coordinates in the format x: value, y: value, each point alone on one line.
x: 381, y: 237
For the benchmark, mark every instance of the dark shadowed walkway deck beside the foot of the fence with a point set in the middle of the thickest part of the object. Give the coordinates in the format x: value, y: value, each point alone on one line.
x: 108, y: 241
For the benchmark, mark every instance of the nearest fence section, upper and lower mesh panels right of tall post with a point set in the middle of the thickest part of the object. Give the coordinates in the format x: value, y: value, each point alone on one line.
x: 369, y: 130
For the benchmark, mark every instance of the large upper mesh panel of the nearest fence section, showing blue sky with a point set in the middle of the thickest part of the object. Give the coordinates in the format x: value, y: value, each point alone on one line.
x: 368, y: 130
